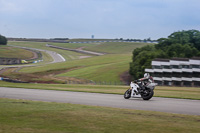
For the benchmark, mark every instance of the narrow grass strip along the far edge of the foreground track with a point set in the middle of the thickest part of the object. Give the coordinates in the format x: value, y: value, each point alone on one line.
x: 160, y: 91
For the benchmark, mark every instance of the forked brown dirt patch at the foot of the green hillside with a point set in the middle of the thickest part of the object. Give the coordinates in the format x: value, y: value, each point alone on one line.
x: 48, y: 77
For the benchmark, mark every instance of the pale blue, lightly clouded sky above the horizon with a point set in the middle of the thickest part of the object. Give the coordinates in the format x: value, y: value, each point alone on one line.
x: 111, y: 19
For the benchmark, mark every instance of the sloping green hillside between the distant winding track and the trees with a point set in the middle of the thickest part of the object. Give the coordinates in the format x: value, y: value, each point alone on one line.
x: 109, y: 68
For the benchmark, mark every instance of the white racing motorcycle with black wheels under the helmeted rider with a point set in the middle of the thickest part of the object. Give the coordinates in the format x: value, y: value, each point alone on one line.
x: 140, y: 89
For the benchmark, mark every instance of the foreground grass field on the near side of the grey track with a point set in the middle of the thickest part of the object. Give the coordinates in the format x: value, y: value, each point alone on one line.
x: 22, y: 116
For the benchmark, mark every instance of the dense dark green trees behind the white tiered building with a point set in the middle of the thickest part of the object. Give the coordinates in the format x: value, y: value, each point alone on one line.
x: 183, y: 44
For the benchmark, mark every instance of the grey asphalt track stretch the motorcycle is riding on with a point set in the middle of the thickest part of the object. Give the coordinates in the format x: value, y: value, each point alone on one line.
x: 170, y: 105
